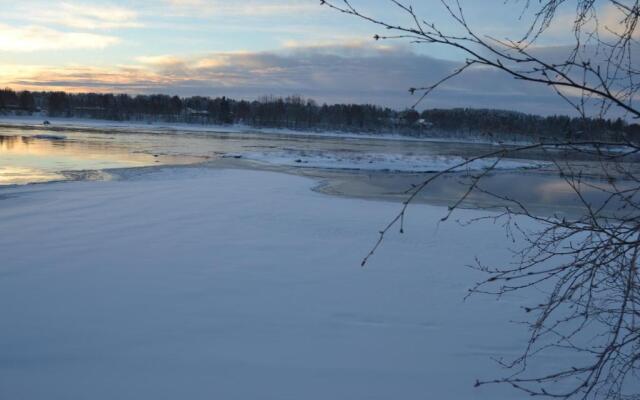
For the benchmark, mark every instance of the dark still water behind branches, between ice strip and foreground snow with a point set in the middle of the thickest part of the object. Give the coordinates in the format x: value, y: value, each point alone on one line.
x: 539, y: 191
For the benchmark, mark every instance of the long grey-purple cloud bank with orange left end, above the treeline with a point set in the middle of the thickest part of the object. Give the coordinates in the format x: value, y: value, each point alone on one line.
x: 362, y: 74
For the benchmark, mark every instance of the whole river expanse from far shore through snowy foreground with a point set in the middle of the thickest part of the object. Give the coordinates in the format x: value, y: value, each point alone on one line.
x: 180, y: 265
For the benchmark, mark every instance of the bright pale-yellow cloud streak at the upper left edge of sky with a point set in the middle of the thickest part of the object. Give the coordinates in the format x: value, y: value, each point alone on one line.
x: 37, y: 38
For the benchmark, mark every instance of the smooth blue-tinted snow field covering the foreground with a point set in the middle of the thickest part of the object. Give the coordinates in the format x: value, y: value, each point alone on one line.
x: 195, y: 283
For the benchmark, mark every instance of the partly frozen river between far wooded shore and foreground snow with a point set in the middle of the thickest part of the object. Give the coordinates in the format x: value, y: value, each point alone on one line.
x: 354, y: 166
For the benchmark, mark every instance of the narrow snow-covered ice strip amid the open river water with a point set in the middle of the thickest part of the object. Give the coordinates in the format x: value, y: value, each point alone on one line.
x: 349, y: 160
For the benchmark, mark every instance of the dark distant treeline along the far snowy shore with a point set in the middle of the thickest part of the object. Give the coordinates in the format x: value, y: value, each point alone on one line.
x: 295, y: 112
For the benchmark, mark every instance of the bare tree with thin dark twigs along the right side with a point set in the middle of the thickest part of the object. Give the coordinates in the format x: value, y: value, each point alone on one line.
x: 587, y: 265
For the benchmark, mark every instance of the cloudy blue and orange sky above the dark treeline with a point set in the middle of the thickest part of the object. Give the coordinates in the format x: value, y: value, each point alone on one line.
x: 247, y: 49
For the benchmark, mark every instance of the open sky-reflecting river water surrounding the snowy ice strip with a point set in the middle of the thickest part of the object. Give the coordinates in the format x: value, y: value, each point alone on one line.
x: 36, y: 155
